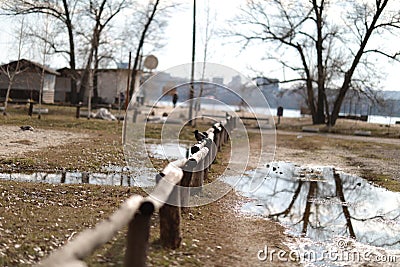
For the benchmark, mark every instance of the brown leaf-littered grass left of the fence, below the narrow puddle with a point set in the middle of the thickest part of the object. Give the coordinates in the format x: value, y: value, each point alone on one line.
x: 37, y: 218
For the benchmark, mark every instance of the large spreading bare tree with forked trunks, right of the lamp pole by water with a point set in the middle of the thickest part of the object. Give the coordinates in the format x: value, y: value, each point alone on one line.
x: 325, y: 51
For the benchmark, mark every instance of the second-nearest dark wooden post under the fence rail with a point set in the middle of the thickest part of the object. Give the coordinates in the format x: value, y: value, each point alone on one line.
x: 170, y: 219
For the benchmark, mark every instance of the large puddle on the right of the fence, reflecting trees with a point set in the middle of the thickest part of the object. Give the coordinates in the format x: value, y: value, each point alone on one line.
x: 322, y: 207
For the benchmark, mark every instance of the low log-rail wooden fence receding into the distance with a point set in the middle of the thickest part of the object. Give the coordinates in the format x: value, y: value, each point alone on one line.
x: 173, y: 186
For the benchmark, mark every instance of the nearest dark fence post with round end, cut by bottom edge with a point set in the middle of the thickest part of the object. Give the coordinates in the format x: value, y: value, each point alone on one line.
x: 138, y: 236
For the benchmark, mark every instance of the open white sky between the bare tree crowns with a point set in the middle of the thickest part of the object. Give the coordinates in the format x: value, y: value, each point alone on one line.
x: 178, y: 45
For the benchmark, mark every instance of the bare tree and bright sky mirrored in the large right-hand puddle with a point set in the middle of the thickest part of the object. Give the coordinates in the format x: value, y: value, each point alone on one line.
x: 330, y: 204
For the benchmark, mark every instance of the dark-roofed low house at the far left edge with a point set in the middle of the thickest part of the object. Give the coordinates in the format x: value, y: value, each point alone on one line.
x: 27, y: 81
